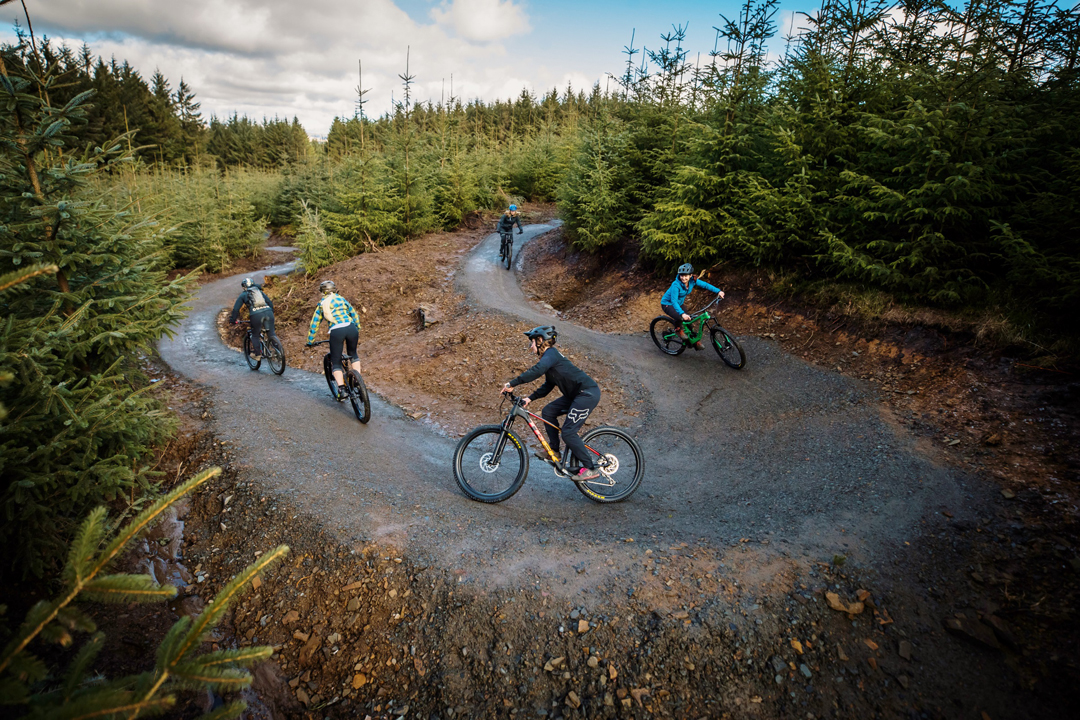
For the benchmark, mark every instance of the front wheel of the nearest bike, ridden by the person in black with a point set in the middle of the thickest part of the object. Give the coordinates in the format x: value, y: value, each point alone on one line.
x: 487, y: 473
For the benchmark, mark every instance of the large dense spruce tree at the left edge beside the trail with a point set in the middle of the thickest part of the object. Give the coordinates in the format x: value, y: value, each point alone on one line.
x: 79, y: 423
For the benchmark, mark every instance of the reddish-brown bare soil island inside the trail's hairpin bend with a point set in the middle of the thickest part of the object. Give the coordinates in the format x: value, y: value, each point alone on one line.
x: 449, y: 374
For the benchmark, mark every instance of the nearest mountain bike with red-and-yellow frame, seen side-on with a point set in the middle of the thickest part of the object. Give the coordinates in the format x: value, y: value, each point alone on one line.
x: 491, y: 463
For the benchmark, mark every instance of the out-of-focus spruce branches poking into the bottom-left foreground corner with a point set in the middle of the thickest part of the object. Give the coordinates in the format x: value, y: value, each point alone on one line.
x: 179, y: 665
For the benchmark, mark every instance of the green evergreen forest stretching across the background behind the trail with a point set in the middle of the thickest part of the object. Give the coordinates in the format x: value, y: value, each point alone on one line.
x: 920, y: 150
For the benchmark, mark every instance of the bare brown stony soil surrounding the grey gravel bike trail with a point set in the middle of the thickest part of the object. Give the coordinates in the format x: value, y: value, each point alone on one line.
x: 970, y: 619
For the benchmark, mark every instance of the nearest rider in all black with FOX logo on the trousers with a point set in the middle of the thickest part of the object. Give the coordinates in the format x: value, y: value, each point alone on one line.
x: 580, y: 397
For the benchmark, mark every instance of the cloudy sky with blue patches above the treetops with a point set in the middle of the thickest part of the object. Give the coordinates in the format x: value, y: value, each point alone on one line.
x: 273, y: 58
